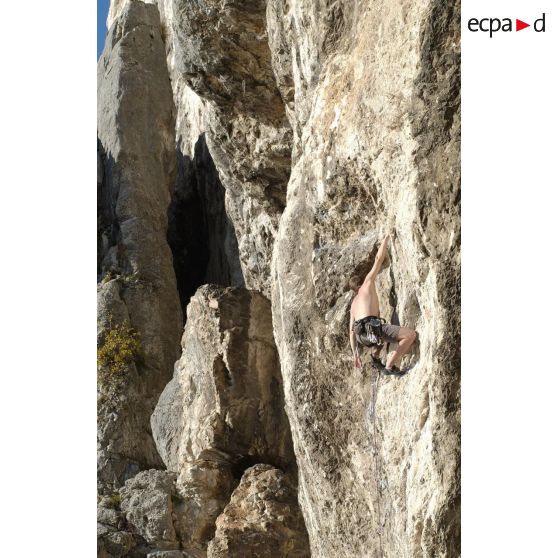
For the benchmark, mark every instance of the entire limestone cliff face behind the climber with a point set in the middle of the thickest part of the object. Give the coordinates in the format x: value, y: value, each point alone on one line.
x: 304, y: 131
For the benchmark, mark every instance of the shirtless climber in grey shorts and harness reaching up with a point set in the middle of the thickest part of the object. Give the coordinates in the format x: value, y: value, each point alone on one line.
x: 365, y: 326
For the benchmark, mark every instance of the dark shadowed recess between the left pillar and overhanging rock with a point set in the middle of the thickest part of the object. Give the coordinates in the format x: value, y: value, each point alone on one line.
x: 200, y: 234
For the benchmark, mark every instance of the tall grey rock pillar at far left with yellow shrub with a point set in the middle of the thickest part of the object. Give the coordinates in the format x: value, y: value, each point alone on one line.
x: 138, y: 306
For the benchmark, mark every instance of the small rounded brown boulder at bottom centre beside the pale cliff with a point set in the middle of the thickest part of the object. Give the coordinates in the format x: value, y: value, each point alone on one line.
x: 262, y: 520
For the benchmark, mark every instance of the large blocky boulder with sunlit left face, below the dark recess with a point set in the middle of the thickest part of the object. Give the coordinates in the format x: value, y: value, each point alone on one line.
x: 223, y: 409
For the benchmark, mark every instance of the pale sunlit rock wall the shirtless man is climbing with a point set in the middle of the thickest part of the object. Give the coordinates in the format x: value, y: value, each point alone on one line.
x: 376, y: 121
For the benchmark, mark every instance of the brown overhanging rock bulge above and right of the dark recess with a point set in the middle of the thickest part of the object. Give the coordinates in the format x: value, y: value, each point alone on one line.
x: 221, y: 52
